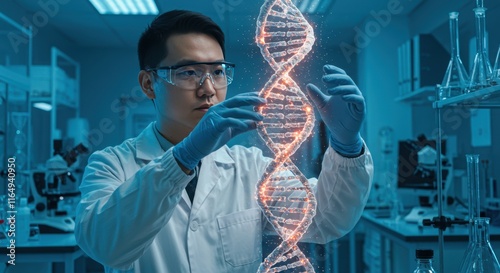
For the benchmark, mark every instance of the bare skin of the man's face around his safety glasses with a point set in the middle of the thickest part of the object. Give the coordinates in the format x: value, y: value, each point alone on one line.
x: 179, y: 110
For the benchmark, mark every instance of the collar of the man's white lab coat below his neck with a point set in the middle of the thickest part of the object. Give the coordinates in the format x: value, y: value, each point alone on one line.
x: 149, y: 148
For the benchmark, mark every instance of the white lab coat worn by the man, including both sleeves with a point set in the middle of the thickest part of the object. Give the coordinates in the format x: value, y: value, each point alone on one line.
x: 135, y: 216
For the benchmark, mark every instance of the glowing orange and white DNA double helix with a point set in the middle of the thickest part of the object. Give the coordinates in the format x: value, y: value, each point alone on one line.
x: 283, y: 192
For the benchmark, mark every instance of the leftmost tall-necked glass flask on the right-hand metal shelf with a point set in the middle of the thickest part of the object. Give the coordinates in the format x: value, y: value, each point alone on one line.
x: 456, y: 78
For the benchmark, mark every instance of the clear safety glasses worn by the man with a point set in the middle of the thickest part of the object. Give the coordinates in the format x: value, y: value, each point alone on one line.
x: 193, y: 75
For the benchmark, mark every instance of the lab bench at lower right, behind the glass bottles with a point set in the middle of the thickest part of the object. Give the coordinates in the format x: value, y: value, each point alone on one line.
x: 390, y: 244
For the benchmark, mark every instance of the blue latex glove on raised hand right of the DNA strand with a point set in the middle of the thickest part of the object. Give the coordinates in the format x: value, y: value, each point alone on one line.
x: 343, y: 110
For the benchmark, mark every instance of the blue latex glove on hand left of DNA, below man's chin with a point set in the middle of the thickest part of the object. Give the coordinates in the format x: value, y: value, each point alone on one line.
x: 221, y: 123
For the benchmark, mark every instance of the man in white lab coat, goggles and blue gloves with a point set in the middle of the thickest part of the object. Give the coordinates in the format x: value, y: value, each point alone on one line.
x: 139, y: 211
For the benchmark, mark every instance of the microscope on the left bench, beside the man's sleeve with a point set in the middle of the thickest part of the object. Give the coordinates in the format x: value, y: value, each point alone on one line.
x: 53, y: 187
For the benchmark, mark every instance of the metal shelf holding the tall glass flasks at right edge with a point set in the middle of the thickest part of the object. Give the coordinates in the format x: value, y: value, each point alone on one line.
x: 483, y: 98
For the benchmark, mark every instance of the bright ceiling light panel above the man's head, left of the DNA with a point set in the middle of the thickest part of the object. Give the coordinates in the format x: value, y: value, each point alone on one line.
x: 126, y: 7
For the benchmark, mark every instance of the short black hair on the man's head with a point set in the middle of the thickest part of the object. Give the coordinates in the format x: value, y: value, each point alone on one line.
x: 152, y: 48
